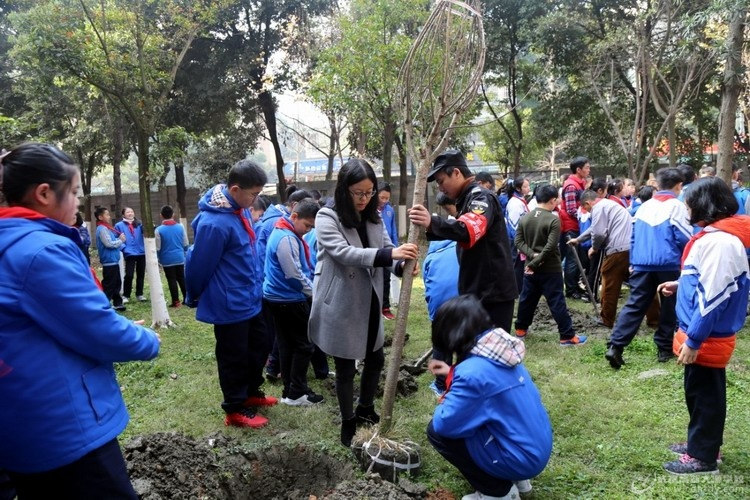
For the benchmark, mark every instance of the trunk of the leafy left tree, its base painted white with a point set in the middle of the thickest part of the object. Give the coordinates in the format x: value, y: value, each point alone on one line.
x: 159, y: 313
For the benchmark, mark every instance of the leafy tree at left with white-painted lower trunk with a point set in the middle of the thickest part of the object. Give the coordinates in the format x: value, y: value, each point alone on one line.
x: 130, y: 50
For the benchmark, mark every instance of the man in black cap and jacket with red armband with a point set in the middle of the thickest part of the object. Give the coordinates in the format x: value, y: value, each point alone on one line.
x: 485, y: 264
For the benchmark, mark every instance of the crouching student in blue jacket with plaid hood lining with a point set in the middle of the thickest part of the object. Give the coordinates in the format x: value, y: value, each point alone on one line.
x: 491, y: 423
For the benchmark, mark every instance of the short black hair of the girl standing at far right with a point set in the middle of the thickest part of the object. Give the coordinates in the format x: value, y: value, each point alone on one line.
x: 710, y: 199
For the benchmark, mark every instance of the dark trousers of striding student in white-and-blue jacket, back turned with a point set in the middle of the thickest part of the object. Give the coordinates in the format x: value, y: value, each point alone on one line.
x: 642, y: 290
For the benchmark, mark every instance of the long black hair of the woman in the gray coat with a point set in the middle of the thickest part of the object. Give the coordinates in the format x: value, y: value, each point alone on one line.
x: 354, y: 171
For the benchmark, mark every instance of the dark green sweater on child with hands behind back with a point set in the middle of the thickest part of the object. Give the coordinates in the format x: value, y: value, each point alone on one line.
x: 538, y: 237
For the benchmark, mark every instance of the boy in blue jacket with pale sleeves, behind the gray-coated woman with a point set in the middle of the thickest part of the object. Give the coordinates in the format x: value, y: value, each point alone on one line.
x: 287, y: 291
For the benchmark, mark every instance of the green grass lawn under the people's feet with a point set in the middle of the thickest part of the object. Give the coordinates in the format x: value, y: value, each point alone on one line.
x: 611, y: 428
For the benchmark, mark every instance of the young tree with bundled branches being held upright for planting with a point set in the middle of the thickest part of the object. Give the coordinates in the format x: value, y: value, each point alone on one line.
x: 437, y: 83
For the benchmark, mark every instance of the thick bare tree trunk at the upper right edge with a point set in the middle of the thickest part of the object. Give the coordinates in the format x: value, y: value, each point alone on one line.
x: 730, y: 94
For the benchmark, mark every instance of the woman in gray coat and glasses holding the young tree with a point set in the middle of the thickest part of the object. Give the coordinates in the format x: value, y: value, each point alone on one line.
x: 345, y: 320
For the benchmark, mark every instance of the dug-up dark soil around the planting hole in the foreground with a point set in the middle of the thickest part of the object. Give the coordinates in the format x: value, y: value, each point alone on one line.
x: 171, y: 465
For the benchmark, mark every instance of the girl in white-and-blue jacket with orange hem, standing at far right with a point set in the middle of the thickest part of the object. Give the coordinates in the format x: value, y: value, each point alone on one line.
x: 711, y: 307
